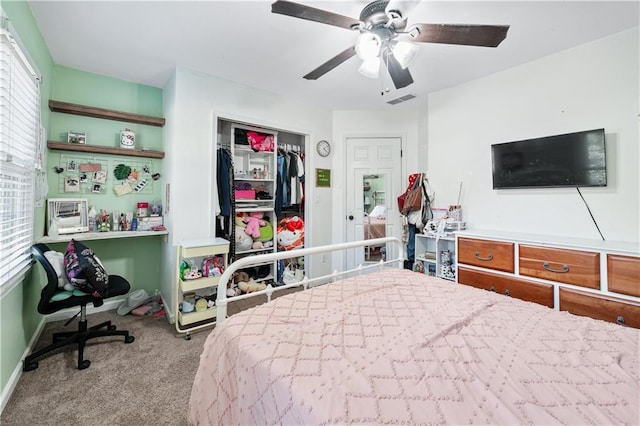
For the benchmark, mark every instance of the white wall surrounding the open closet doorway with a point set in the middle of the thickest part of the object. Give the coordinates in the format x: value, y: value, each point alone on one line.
x: 193, y: 101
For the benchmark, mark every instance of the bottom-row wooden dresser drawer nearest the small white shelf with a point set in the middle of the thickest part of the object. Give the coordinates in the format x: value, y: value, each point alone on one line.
x: 510, y: 286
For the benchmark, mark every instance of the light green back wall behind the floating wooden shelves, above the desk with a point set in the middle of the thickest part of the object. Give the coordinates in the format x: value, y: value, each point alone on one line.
x: 84, y: 88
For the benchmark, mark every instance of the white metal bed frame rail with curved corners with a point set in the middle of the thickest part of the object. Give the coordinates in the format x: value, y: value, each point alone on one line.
x: 222, y: 299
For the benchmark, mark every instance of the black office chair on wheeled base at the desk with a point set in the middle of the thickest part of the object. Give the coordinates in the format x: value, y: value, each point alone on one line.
x: 117, y: 286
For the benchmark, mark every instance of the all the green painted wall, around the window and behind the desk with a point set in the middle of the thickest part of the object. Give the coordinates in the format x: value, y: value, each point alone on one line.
x: 134, y: 258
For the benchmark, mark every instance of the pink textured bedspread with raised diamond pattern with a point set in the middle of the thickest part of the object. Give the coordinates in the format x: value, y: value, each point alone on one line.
x: 400, y: 347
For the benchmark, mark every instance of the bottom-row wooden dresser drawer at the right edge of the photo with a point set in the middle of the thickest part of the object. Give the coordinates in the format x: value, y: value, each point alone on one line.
x: 600, y: 307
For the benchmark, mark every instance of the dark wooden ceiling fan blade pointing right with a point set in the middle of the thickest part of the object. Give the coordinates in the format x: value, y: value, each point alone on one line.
x: 470, y: 35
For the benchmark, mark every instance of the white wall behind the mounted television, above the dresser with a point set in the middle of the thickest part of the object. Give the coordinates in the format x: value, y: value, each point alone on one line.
x: 591, y: 86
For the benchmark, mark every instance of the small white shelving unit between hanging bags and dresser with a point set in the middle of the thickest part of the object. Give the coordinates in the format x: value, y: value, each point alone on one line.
x: 437, y: 254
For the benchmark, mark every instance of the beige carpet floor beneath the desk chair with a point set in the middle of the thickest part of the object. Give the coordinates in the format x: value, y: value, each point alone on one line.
x: 147, y: 382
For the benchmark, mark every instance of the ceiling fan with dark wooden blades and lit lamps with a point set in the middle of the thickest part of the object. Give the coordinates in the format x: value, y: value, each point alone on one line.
x: 385, y: 39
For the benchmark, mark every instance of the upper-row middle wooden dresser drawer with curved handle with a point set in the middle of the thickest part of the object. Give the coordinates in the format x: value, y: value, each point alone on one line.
x: 561, y: 265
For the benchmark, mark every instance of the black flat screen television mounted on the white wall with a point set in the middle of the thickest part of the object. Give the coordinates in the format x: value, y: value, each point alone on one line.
x: 569, y: 160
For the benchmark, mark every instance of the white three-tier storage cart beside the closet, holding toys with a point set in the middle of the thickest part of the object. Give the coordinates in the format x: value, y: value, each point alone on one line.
x: 196, y: 251
